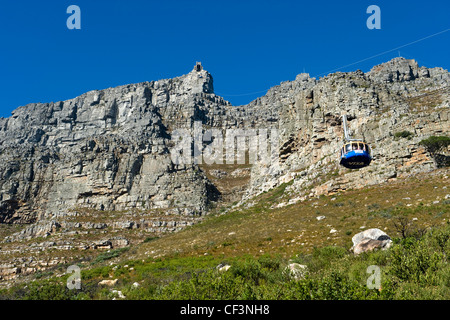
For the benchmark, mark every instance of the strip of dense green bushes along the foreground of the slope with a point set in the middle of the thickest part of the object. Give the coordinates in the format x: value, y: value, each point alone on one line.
x: 414, y: 268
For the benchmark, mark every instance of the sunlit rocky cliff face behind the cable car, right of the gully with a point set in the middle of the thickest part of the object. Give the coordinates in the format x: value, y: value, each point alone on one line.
x: 394, y: 97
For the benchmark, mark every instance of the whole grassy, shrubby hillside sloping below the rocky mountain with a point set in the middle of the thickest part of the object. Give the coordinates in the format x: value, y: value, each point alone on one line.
x: 260, y: 240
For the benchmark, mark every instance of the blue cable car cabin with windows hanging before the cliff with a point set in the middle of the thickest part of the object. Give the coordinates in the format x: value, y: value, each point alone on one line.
x: 355, y: 155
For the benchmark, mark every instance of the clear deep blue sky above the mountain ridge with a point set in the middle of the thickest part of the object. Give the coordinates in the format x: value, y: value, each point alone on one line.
x: 248, y: 46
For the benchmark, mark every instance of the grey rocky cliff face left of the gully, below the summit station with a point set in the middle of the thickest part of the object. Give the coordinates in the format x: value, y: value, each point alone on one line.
x: 106, y: 150
